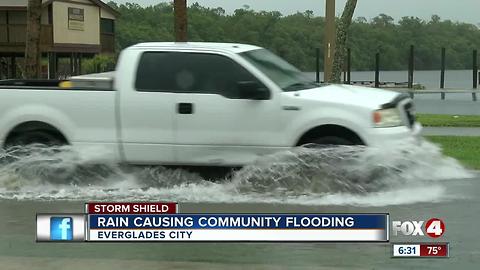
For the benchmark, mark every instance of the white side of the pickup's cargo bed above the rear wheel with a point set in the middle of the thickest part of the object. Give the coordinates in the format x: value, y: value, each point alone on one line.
x: 67, y: 109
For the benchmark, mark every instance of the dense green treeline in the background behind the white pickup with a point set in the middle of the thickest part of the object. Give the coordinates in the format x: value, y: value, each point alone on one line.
x: 296, y: 36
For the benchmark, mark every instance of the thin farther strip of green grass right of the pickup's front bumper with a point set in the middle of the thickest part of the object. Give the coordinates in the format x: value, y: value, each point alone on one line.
x: 442, y: 120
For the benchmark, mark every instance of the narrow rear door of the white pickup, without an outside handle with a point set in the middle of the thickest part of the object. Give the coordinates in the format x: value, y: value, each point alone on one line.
x: 147, y: 109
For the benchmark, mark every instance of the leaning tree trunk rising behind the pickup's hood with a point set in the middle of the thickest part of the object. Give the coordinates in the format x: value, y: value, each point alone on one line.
x: 342, y: 33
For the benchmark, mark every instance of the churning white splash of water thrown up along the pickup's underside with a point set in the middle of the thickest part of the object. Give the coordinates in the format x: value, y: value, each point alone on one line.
x: 345, y: 175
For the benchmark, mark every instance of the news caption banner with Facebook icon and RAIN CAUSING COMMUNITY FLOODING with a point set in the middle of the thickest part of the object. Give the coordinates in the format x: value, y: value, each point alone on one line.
x: 156, y: 222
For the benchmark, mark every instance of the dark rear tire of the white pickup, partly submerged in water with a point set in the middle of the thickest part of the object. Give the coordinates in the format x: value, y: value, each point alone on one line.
x: 35, y: 137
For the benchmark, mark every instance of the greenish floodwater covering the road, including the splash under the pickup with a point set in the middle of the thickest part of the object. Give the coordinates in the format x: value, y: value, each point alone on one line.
x: 408, y: 181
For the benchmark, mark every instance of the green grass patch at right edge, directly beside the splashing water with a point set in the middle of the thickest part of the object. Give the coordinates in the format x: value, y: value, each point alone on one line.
x: 464, y: 149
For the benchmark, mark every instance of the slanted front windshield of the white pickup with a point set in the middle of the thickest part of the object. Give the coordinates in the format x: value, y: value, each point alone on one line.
x: 286, y: 76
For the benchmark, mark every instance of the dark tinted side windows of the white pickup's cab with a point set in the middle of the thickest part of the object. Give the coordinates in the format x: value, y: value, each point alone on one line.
x: 199, y: 73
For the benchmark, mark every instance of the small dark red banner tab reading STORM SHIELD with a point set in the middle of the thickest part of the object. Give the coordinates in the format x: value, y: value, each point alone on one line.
x: 132, y: 208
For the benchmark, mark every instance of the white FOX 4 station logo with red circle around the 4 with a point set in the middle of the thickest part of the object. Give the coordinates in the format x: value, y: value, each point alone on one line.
x: 434, y: 227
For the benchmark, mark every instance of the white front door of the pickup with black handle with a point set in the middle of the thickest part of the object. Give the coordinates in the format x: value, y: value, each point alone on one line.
x: 216, y: 124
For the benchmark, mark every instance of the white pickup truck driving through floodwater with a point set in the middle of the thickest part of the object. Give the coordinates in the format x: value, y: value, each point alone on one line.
x: 201, y: 104
